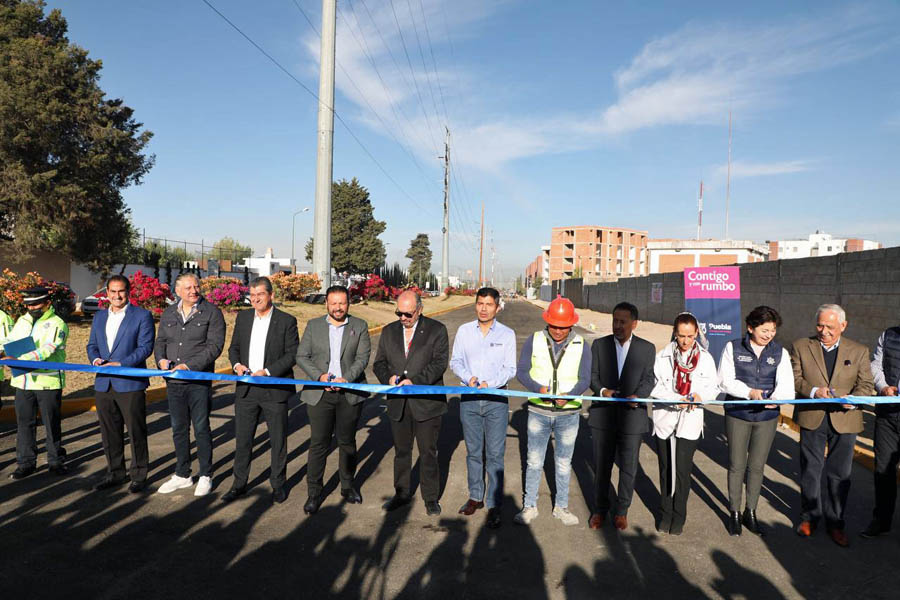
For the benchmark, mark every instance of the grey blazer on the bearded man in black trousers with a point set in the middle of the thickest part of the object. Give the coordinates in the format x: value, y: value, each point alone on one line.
x: 314, y: 356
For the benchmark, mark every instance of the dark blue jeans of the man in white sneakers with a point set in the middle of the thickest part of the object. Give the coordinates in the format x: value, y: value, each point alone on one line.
x: 190, y: 403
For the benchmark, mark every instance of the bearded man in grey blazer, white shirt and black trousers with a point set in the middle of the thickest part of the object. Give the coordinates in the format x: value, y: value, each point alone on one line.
x: 335, y: 348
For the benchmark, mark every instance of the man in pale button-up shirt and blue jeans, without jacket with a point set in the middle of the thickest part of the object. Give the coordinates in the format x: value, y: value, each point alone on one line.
x: 484, y: 355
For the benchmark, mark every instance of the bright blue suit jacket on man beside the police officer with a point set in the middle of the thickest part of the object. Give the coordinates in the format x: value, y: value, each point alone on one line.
x: 132, y: 346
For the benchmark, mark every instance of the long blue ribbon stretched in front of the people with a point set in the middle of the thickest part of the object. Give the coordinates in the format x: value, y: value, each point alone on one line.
x: 397, y: 390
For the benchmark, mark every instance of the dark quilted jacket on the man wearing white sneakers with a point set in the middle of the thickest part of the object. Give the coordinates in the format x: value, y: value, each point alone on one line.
x: 196, y: 343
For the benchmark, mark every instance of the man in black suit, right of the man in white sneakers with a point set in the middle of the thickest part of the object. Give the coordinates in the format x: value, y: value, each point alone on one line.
x: 263, y: 345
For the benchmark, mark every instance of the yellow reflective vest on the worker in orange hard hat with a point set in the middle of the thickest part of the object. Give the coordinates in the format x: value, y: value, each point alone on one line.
x: 557, y: 375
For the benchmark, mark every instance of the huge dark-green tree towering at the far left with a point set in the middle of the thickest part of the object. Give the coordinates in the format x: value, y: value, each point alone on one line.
x: 66, y: 151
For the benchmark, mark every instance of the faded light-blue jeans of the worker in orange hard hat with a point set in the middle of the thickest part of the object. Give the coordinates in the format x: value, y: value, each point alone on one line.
x: 565, y: 429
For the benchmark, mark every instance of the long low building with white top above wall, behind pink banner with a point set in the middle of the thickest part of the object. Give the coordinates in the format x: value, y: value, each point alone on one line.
x: 672, y: 256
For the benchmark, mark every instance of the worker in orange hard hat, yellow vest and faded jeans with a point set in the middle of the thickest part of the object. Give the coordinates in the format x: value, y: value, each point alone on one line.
x: 555, y: 361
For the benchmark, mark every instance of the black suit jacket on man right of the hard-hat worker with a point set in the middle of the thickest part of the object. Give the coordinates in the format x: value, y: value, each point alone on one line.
x: 637, y: 380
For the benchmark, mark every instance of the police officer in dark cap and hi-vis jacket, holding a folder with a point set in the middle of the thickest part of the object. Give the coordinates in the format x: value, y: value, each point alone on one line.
x: 39, y: 388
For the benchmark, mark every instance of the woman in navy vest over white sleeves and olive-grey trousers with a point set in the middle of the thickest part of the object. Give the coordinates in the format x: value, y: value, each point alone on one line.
x: 756, y: 368
